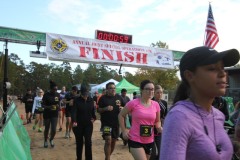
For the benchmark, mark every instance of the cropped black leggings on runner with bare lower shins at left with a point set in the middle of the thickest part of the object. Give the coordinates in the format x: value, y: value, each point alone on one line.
x: 53, y: 122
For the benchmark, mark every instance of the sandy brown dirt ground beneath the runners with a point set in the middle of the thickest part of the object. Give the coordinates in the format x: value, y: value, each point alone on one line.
x: 65, y: 149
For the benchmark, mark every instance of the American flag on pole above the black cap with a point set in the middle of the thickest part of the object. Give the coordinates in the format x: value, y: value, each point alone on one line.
x: 211, y: 38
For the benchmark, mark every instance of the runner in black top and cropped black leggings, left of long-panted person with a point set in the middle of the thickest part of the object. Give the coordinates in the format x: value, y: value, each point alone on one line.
x: 50, y: 103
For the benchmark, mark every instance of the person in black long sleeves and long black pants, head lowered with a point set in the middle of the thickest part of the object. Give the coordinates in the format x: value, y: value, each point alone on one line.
x: 83, y: 116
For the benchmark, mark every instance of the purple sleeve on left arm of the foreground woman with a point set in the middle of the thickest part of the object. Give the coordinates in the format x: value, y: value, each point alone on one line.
x: 175, y: 136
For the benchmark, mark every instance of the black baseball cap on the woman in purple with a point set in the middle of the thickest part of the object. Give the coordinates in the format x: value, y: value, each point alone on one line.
x: 203, y: 55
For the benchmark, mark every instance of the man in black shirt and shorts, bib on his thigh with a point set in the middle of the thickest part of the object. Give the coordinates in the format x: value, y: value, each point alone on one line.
x: 109, y: 107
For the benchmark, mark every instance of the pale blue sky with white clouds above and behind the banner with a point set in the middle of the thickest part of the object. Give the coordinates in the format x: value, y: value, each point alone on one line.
x: 179, y: 23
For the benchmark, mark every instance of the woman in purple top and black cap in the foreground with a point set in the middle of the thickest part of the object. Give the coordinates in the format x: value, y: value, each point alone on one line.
x: 193, y: 128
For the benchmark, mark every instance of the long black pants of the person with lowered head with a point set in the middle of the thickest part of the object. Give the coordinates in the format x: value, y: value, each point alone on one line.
x: 80, y: 132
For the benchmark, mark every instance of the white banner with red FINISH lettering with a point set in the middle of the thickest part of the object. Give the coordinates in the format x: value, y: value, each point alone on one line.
x: 84, y: 50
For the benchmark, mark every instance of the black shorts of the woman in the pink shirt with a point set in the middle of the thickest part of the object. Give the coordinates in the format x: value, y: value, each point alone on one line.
x: 147, y: 147
